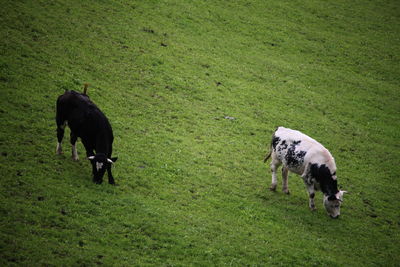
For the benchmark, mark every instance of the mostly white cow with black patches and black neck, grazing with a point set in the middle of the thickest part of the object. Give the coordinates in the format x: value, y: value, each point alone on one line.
x: 304, y: 156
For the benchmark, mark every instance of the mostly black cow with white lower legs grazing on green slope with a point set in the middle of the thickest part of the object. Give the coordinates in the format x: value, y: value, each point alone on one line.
x: 86, y: 121
